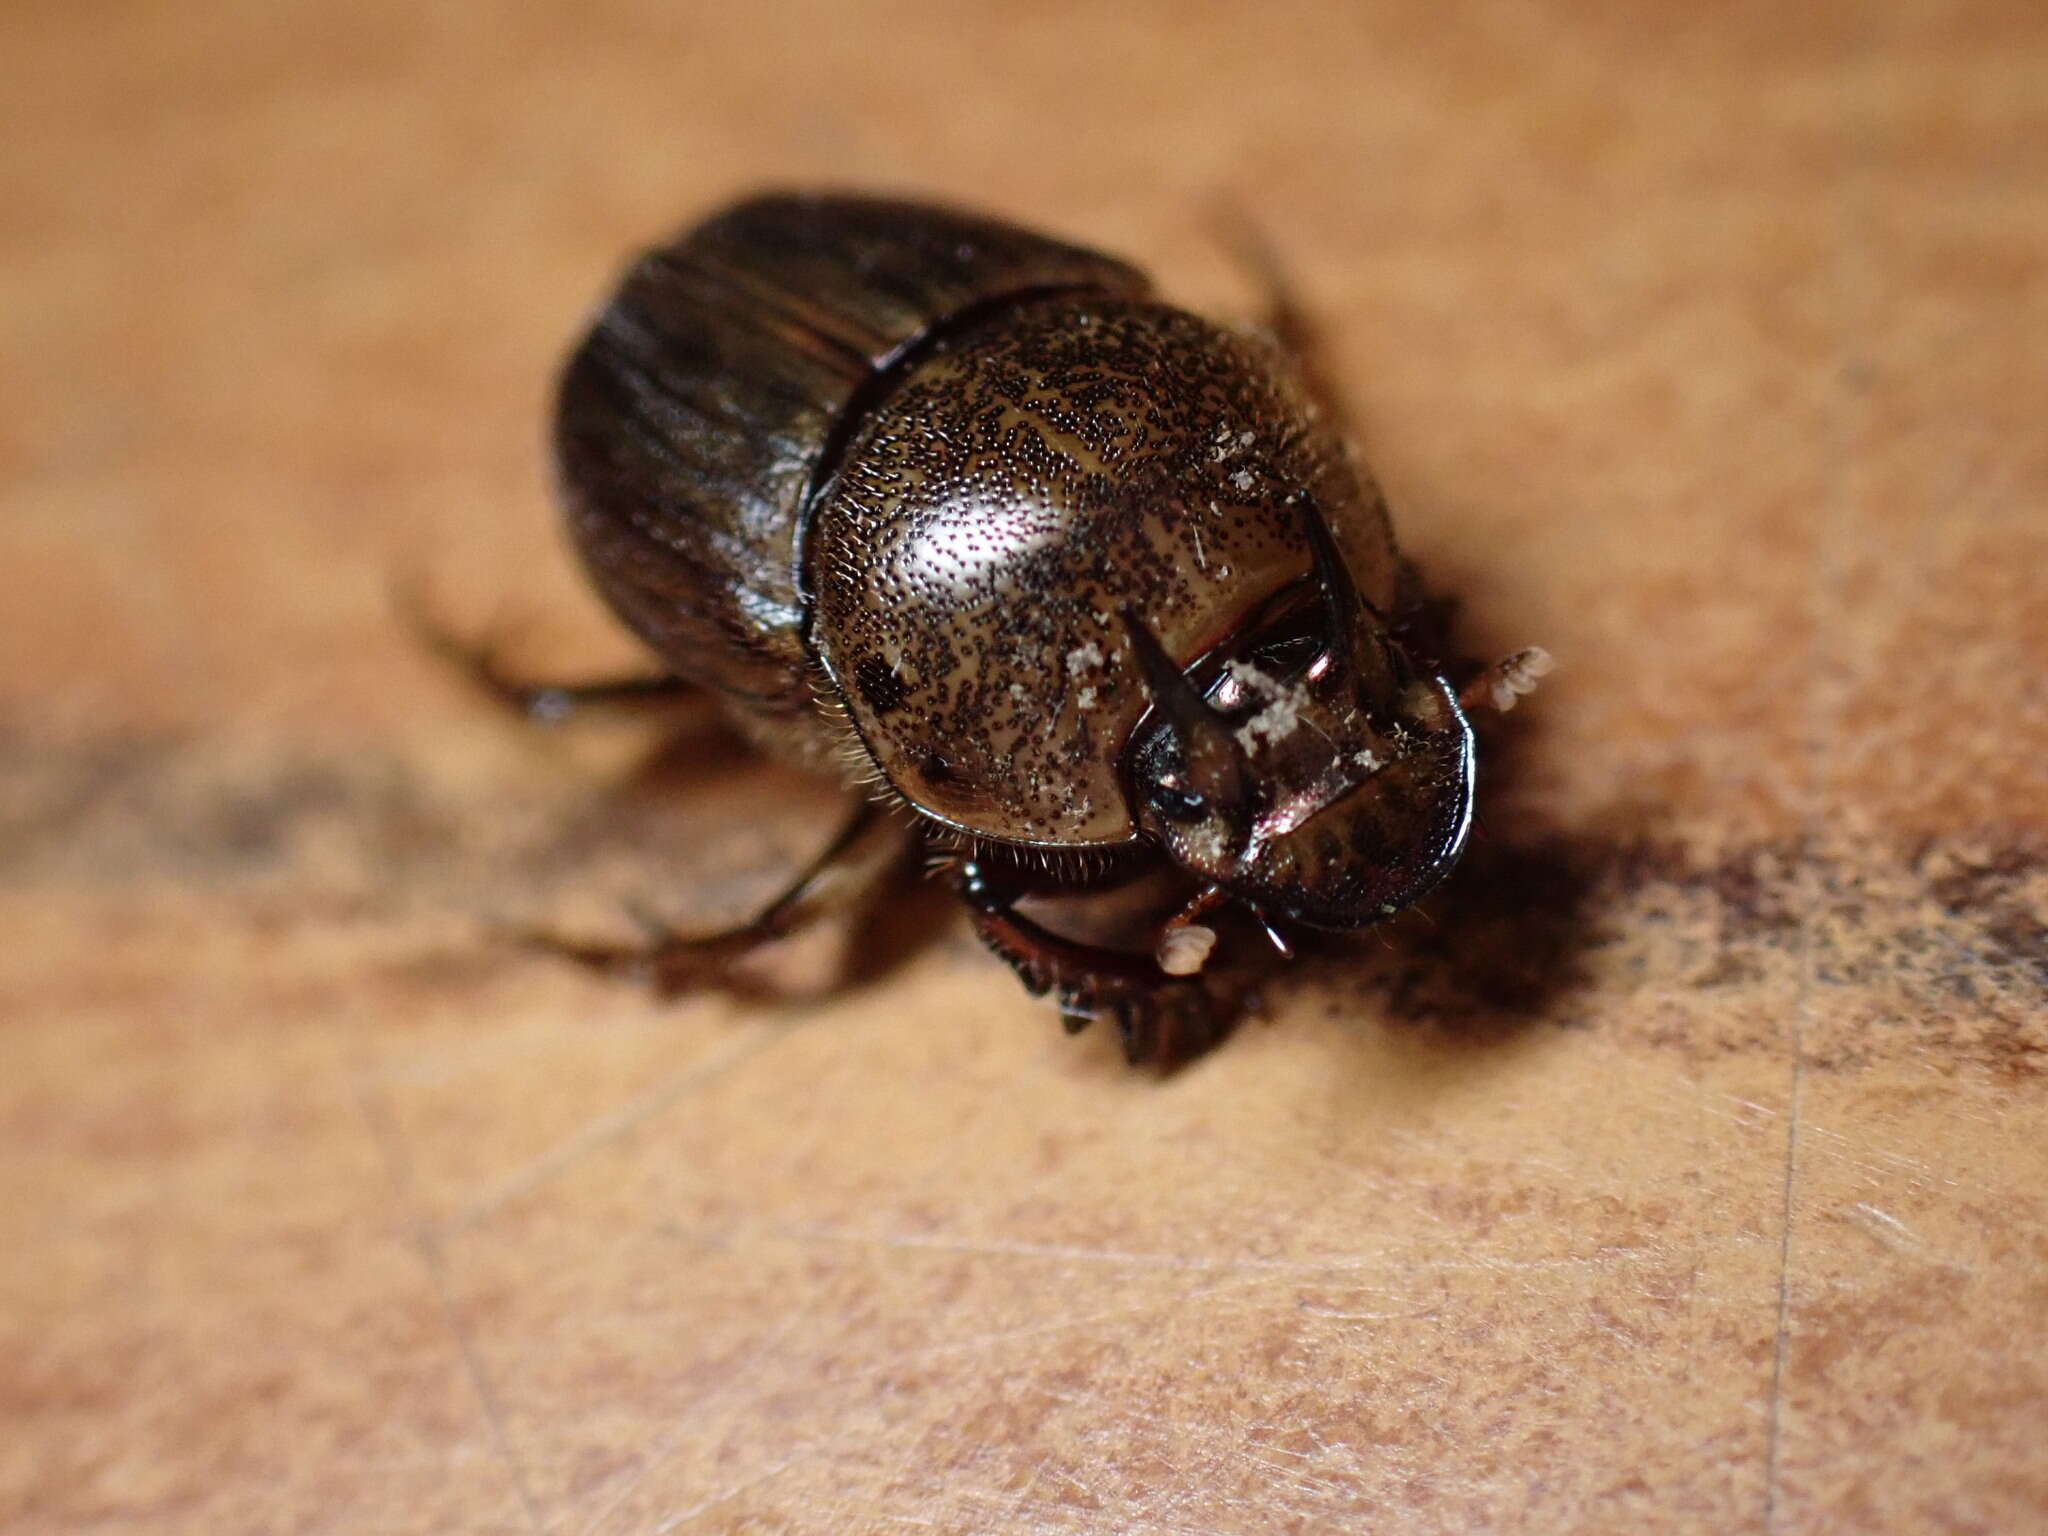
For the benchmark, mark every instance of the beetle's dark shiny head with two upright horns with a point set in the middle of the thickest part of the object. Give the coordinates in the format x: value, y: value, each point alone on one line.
x: 1320, y: 777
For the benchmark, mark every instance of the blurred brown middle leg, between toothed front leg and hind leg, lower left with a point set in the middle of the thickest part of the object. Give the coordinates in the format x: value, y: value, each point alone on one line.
x: 865, y: 849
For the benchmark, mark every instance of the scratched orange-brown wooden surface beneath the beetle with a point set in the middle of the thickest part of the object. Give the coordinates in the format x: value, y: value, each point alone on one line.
x: 1682, y: 1172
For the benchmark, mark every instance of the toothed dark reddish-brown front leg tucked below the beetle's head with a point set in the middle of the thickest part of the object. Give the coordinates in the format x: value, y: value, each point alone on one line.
x: 1160, y: 1019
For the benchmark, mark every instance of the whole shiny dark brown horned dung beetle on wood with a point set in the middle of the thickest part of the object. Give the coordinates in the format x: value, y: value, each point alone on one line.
x: 1072, y: 587
